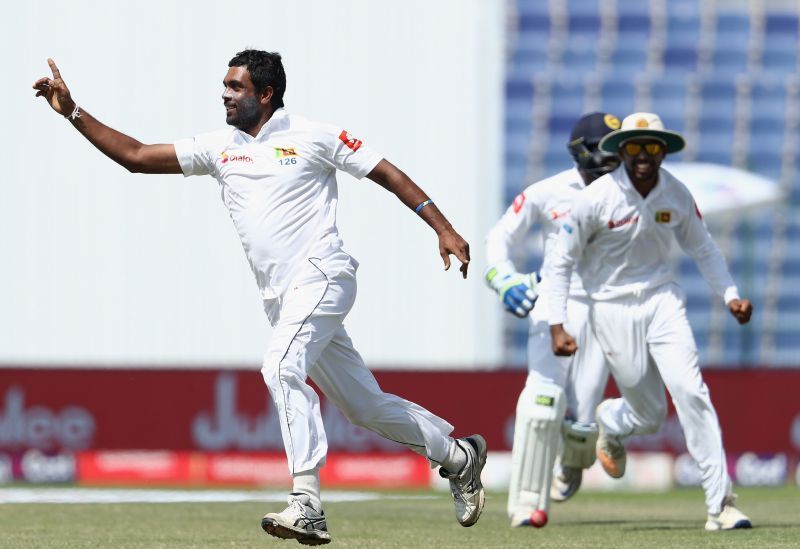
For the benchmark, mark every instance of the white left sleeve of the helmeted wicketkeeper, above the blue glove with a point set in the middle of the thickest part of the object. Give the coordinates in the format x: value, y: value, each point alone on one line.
x: 509, y: 231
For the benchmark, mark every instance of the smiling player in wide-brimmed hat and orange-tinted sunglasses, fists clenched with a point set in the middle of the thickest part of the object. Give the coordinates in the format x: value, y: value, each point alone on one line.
x: 618, y: 237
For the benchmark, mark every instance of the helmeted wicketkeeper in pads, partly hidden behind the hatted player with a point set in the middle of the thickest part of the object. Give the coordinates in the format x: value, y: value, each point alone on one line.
x: 554, y: 384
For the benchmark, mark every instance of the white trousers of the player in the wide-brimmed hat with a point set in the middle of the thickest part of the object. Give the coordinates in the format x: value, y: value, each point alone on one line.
x: 649, y: 344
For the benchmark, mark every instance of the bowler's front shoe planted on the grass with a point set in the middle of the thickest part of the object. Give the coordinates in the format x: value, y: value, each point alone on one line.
x: 299, y: 521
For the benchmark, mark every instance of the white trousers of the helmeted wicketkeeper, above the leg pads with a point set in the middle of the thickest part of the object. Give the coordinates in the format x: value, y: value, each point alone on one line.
x: 582, y: 376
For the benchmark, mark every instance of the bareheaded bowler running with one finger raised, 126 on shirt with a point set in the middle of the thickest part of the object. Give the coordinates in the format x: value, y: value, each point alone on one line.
x: 277, y: 175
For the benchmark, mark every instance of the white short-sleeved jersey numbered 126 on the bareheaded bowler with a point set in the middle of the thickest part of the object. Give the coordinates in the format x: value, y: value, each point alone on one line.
x: 280, y: 189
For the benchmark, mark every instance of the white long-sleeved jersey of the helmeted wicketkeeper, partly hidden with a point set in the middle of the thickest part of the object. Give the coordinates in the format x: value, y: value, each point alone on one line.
x: 546, y: 202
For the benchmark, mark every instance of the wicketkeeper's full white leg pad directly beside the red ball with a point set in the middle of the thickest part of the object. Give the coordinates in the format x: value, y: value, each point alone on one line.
x: 540, y: 411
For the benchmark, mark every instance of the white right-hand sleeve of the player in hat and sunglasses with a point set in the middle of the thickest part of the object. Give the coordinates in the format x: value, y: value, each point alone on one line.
x: 695, y: 240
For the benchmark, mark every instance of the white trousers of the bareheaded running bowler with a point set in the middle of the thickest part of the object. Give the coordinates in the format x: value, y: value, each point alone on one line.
x: 309, y: 340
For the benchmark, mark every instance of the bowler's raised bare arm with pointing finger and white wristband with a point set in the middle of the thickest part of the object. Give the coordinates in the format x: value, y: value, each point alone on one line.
x: 122, y: 149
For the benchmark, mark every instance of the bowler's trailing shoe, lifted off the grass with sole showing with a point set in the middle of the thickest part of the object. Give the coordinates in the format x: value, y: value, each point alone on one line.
x: 466, y: 485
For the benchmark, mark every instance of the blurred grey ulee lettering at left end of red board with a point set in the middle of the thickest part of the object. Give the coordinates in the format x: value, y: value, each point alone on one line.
x: 39, y: 427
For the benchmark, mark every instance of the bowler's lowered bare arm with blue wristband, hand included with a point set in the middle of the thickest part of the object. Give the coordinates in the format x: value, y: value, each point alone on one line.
x: 392, y: 179
